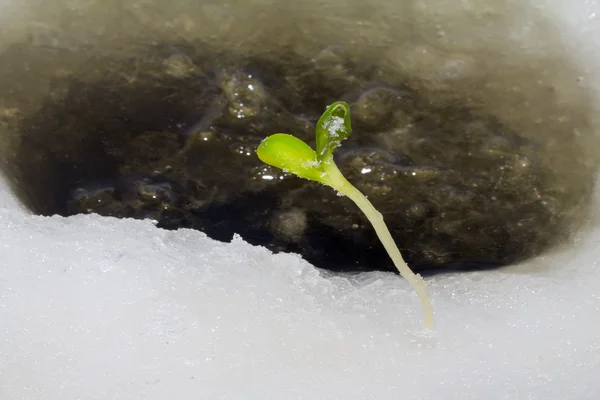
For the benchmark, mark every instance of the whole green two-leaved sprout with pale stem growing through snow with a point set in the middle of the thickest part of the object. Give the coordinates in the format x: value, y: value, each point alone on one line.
x: 292, y: 155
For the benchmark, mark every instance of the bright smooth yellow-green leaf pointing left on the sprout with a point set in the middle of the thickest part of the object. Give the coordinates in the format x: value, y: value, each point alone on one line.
x: 292, y: 155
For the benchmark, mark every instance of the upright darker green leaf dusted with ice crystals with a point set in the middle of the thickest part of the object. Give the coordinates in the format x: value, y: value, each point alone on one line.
x: 333, y: 127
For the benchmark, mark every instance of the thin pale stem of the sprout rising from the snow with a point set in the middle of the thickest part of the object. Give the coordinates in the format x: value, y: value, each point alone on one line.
x: 341, y: 184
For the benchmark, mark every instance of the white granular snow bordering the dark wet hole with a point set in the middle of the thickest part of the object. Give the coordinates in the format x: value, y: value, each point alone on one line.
x: 95, y: 308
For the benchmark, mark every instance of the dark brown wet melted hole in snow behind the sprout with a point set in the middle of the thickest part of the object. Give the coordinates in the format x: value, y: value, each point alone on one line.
x: 481, y: 165
